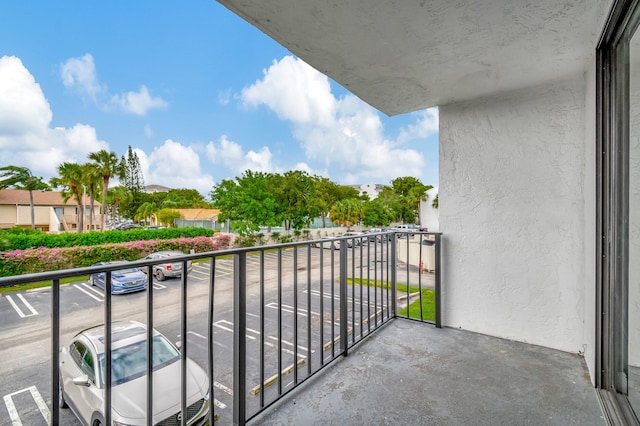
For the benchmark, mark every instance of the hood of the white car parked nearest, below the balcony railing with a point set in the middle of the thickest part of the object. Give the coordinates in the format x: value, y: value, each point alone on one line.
x: 129, y: 399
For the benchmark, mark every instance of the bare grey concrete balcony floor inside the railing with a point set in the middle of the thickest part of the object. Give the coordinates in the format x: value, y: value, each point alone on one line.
x: 409, y: 373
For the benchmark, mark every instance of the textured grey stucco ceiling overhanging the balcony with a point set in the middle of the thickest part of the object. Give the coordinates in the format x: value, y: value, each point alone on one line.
x: 402, y: 56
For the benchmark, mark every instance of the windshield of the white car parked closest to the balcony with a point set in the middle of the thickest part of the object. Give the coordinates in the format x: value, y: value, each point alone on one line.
x: 130, y: 362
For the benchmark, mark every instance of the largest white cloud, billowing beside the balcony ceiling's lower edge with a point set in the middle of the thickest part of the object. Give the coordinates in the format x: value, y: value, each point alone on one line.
x: 344, y: 134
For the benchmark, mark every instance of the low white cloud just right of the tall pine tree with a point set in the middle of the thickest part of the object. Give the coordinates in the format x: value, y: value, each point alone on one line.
x: 176, y: 166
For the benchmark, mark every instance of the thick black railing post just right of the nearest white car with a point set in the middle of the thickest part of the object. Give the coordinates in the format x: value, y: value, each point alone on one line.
x: 239, y: 338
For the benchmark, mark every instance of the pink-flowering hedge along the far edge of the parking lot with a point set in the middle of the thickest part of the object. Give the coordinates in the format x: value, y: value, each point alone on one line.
x: 44, y: 259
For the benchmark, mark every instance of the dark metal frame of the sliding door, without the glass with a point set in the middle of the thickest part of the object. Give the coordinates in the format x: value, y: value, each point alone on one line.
x: 612, y: 209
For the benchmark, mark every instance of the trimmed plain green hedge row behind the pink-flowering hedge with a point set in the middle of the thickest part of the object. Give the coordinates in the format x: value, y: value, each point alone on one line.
x: 25, y: 240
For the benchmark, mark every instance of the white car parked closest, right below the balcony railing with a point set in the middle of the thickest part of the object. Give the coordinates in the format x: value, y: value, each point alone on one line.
x: 82, y: 378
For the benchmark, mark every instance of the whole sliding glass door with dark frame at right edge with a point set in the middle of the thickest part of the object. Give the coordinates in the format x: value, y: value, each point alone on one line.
x: 618, y: 309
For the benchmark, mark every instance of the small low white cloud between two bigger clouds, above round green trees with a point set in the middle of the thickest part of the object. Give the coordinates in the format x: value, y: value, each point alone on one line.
x: 231, y: 155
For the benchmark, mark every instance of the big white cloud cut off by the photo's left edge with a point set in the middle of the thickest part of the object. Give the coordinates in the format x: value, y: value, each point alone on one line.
x: 26, y: 138
